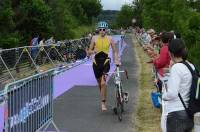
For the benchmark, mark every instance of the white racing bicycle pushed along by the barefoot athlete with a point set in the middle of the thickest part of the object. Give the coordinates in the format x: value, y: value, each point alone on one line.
x: 121, y: 96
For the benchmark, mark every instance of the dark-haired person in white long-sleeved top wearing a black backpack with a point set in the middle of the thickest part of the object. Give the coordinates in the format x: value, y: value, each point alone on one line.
x: 179, y: 81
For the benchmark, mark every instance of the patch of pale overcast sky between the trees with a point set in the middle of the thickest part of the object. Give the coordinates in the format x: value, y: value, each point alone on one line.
x: 114, y: 4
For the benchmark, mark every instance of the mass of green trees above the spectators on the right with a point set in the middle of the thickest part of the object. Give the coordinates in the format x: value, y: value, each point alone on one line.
x: 180, y: 15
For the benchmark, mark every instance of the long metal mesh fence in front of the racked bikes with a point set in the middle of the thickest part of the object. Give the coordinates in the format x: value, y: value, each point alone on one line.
x: 21, y: 62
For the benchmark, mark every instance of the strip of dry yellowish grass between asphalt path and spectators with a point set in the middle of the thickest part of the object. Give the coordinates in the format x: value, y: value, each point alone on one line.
x: 147, y: 117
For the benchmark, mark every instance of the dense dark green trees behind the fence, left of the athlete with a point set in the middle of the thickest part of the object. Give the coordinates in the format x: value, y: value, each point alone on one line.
x: 20, y: 19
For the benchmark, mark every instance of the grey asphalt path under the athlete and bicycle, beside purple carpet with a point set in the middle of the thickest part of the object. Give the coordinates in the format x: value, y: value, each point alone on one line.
x: 78, y: 109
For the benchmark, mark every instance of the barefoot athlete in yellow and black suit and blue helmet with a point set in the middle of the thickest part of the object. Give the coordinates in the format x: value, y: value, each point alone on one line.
x: 99, y: 46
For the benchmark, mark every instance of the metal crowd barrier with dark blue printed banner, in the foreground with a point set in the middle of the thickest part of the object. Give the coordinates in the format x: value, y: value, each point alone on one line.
x: 29, y: 104
